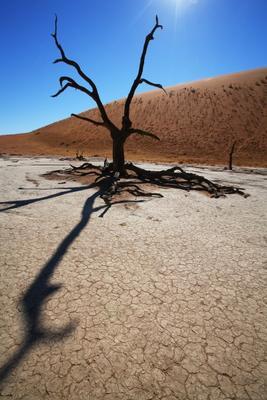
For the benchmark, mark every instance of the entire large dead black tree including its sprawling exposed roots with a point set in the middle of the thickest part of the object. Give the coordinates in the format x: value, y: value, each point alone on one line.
x: 174, y: 177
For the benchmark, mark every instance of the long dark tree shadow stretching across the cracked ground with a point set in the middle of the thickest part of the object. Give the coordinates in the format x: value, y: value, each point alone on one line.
x: 31, y: 303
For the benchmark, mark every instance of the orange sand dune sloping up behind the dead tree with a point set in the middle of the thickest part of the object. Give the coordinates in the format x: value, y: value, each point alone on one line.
x: 197, y: 123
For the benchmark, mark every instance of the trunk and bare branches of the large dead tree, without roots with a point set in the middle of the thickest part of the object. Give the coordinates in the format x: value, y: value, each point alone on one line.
x: 120, y: 134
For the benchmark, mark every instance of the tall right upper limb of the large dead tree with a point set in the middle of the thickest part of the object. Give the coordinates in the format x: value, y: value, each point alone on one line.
x: 126, y: 122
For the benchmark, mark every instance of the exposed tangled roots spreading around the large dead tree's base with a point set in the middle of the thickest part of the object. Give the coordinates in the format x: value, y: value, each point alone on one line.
x: 134, y: 177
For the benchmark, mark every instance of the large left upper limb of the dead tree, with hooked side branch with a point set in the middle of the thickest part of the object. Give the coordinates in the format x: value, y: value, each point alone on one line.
x: 94, y: 93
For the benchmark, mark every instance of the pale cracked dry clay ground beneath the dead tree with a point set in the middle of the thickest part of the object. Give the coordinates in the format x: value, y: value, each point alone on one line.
x: 164, y: 299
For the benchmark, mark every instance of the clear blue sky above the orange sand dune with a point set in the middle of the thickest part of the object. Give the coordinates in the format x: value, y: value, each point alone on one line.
x: 201, y: 38
